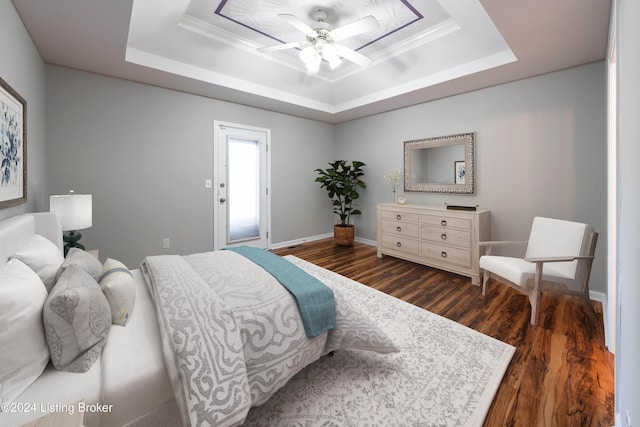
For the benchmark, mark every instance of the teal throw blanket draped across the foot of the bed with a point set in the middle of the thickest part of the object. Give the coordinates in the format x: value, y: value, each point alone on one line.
x: 314, y: 298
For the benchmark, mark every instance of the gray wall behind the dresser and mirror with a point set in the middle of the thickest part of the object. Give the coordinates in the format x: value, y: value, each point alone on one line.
x: 541, y: 149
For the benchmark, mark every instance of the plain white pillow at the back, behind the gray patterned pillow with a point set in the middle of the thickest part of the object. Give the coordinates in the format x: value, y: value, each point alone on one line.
x: 43, y: 257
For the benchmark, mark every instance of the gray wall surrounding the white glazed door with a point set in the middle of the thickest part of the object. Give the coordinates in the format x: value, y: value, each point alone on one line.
x: 144, y: 152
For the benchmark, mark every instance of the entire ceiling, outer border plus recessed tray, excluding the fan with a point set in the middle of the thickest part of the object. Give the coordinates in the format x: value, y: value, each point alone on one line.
x: 422, y: 50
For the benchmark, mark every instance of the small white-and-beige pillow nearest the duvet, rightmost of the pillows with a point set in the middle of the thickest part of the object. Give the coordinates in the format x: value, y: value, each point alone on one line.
x: 119, y: 287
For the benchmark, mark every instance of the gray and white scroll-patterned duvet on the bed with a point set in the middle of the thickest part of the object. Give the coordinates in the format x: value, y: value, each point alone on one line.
x: 232, y: 335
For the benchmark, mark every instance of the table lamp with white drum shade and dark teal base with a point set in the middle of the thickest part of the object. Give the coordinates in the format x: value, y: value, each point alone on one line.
x: 75, y: 213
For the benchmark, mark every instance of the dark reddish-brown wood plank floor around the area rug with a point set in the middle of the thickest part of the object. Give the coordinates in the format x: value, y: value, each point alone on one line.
x: 561, y: 373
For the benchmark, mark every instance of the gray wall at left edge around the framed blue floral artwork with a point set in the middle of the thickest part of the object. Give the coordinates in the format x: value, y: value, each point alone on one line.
x: 22, y: 68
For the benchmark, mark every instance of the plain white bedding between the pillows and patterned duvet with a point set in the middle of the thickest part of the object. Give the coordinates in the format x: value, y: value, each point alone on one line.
x: 130, y: 377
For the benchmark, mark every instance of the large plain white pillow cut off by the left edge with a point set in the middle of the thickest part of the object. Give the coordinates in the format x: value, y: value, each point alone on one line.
x: 23, y: 350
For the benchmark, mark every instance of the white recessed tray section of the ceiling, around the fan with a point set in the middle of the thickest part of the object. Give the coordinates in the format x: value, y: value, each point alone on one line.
x: 418, y: 44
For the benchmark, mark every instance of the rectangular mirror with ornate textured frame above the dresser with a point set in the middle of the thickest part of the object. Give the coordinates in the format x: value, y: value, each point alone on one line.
x: 440, y: 165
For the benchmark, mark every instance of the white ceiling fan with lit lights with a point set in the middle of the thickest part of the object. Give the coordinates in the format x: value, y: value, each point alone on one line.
x: 321, y: 41
